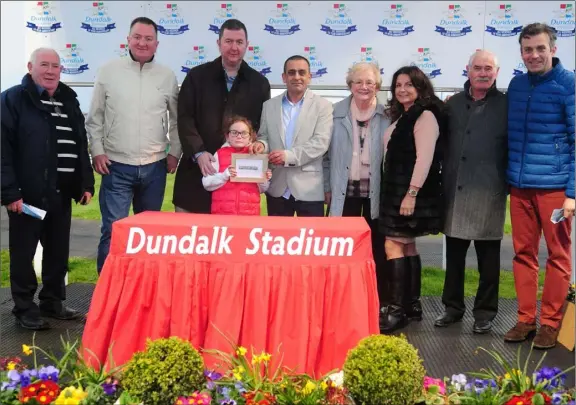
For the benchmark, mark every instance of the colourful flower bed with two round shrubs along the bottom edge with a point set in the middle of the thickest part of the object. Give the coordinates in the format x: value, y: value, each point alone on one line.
x: 380, y: 370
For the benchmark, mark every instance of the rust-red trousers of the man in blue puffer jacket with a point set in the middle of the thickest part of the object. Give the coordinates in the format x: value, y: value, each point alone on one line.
x: 530, y: 211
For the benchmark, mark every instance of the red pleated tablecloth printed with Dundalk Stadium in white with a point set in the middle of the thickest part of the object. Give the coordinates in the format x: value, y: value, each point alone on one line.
x: 167, y: 275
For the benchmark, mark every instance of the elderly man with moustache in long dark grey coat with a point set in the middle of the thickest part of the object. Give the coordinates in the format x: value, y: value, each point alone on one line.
x: 475, y: 188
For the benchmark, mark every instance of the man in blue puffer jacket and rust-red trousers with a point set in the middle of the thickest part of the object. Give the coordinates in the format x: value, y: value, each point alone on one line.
x: 541, y: 176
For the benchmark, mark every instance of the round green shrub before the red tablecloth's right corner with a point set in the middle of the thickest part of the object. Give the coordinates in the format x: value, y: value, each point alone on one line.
x: 384, y: 370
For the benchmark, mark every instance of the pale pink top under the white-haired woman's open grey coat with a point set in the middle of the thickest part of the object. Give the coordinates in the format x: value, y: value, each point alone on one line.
x: 360, y: 166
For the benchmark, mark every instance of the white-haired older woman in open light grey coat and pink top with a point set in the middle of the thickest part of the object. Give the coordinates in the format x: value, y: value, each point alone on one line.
x: 353, y: 163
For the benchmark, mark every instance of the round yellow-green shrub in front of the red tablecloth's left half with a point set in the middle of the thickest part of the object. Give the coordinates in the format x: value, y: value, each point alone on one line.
x: 167, y: 369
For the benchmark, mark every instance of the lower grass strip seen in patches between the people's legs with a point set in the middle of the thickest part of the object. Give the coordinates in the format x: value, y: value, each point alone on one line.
x: 84, y: 271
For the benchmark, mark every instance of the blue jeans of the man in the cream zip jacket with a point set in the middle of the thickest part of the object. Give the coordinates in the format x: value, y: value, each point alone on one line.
x: 142, y: 186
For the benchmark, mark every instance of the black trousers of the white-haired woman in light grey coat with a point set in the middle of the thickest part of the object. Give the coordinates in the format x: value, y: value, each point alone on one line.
x: 360, y: 207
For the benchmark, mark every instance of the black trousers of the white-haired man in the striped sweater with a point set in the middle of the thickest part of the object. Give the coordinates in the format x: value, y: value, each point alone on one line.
x: 24, y: 234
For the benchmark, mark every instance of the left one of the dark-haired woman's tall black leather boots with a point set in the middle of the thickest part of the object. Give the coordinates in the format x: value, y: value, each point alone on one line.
x: 393, y: 316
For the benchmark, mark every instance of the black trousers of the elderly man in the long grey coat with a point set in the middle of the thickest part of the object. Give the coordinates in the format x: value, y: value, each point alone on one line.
x: 486, y: 302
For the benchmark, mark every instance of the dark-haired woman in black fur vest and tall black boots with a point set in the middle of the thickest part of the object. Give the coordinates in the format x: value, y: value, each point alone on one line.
x: 411, y: 189
